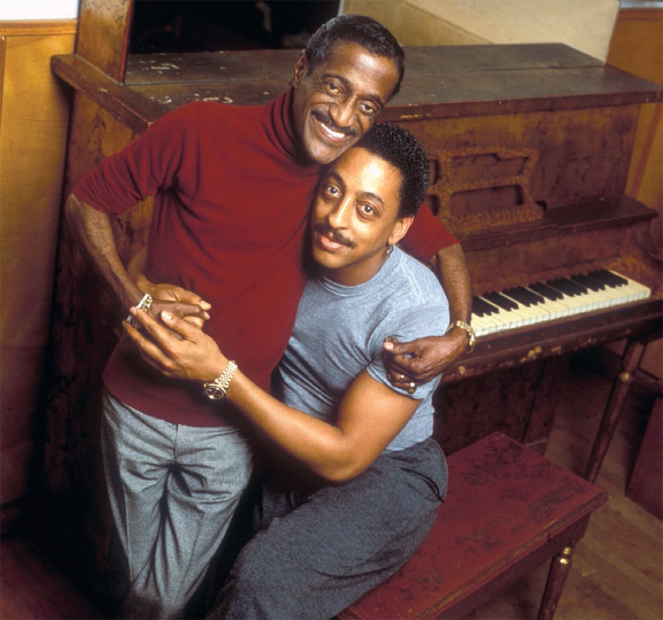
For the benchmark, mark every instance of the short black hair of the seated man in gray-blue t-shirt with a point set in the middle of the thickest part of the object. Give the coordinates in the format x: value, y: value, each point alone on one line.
x: 398, y: 147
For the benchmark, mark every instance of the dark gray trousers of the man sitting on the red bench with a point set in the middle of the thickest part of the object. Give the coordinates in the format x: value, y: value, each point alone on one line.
x: 317, y: 555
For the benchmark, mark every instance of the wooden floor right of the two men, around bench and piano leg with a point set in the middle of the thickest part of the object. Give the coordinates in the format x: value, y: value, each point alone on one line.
x: 617, y: 568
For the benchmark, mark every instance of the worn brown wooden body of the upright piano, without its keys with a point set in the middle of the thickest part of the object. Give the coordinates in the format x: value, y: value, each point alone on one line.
x: 530, y: 148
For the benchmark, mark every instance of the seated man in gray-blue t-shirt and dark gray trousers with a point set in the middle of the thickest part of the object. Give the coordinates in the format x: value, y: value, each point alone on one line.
x: 378, y: 476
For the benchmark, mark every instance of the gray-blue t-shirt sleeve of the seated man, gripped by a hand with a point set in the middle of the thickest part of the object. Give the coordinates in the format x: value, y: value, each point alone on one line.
x: 429, y: 319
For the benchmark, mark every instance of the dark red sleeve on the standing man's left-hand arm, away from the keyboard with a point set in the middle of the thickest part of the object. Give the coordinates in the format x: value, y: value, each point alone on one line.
x: 146, y: 165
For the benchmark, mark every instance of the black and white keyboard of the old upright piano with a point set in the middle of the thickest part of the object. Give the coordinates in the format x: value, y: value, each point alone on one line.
x: 547, y: 301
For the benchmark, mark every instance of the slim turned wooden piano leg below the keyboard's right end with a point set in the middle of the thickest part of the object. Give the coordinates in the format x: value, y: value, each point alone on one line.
x: 620, y: 389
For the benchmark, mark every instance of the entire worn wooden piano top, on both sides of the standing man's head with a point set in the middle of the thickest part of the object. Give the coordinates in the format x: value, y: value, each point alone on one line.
x: 440, y: 81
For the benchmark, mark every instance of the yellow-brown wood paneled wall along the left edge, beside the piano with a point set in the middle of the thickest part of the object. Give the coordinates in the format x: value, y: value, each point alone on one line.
x: 34, y: 116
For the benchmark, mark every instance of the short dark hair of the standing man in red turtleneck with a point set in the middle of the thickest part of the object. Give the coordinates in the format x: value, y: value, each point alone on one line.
x: 365, y: 31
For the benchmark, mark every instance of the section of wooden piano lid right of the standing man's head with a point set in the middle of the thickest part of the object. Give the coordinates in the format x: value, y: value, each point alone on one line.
x: 501, y: 79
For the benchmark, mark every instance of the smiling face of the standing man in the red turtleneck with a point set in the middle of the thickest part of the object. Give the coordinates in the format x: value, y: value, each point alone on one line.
x: 336, y: 102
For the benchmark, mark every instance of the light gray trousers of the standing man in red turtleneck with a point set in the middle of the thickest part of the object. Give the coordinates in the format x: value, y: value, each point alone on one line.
x: 173, y: 490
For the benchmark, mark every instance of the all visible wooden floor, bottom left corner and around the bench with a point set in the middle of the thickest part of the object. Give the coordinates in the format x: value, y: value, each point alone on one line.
x: 617, y: 567
